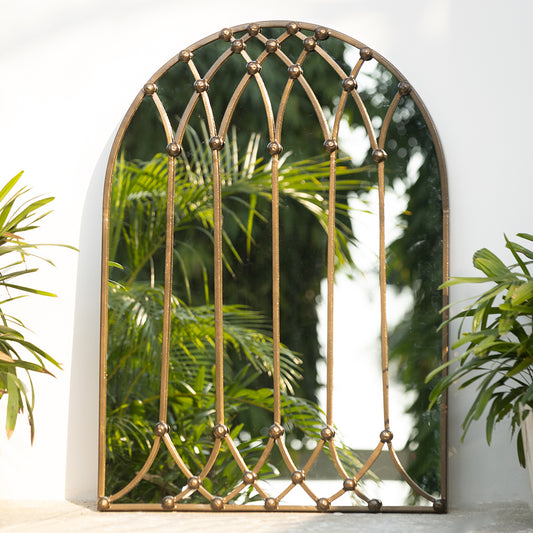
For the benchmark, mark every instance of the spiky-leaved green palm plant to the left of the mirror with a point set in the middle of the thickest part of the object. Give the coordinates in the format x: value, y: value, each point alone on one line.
x: 17, y: 216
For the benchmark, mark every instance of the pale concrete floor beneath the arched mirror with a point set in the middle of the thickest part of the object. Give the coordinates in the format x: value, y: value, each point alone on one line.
x: 58, y: 517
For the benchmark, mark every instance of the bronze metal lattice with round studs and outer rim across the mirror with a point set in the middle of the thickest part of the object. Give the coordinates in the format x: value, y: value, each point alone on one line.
x: 237, y: 39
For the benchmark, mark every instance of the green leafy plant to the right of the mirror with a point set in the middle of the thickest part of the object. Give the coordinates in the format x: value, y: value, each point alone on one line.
x: 498, y: 359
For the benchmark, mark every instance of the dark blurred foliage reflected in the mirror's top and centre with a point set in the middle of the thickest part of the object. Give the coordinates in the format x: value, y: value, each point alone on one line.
x: 303, y: 241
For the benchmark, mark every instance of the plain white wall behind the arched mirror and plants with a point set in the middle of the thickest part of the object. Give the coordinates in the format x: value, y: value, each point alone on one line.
x: 69, y: 70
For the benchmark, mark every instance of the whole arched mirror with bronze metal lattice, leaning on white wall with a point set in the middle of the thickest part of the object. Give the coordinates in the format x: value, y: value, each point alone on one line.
x: 275, y: 233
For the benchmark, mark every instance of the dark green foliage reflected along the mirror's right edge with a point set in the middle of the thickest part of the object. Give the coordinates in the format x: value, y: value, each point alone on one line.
x: 414, y: 262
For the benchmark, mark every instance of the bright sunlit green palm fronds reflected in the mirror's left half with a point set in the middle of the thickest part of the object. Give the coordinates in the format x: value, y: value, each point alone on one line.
x: 137, y: 240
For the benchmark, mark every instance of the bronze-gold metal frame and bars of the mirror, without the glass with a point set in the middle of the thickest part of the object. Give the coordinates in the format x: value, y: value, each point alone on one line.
x: 311, y: 43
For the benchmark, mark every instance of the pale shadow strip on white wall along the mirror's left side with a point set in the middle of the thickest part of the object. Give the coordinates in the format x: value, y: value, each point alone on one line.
x: 82, y: 432
